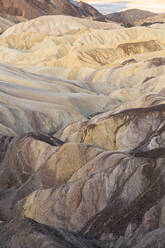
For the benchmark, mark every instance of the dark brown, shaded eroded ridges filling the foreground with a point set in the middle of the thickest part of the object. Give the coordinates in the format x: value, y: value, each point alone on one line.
x: 133, y: 180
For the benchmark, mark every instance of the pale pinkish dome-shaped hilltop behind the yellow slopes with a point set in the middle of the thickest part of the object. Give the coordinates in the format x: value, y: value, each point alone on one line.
x: 58, y: 25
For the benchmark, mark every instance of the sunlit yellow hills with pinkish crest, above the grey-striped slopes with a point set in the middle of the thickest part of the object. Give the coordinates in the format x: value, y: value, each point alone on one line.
x: 46, y: 41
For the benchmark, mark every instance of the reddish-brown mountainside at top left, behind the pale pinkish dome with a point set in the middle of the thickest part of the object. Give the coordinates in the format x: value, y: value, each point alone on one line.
x: 34, y: 8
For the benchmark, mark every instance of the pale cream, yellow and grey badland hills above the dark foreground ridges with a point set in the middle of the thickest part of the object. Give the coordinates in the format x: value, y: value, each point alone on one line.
x: 110, y: 66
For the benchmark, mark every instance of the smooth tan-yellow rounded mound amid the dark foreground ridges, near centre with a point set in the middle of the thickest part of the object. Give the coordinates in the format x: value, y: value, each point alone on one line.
x: 67, y: 160
